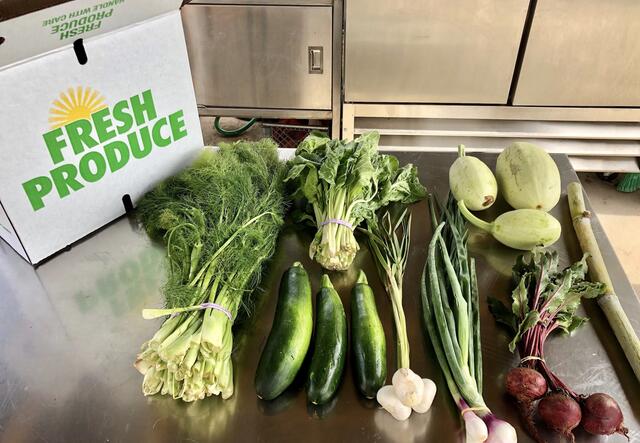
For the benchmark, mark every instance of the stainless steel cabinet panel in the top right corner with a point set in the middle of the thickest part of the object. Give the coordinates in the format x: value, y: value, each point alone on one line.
x: 584, y: 53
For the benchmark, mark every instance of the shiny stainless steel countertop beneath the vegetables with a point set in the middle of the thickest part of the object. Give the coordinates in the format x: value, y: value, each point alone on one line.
x: 70, y: 330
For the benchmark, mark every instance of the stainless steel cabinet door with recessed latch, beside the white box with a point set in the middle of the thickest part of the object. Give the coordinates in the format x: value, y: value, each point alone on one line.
x: 259, y: 56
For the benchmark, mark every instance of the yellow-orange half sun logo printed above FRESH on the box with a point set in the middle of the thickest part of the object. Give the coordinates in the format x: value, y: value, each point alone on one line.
x: 75, y: 104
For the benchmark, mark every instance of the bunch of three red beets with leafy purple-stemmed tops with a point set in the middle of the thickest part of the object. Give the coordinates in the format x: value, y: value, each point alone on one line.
x: 545, y: 301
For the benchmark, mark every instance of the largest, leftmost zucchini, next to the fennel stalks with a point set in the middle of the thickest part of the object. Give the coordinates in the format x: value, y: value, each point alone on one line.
x: 290, y: 335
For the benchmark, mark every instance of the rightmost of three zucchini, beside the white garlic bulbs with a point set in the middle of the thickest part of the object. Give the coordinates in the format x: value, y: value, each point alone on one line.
x: 367, y: 340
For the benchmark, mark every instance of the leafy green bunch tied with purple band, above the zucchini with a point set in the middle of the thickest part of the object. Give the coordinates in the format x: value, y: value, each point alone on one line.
x: 344, y: 183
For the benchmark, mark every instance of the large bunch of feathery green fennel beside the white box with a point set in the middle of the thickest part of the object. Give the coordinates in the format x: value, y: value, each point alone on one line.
x: 219, y: 220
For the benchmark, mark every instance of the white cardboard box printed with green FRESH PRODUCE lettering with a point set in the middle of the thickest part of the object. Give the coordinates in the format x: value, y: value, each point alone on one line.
x: 97, y: 103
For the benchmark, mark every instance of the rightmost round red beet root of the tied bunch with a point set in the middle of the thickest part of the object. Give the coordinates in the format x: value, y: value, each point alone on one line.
x: 601, y: 415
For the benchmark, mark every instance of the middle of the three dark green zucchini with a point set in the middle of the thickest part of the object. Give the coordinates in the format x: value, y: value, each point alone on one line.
x: 330, y: 345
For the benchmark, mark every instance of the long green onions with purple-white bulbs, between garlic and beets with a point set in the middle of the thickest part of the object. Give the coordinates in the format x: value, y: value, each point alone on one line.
x: 450, y: 309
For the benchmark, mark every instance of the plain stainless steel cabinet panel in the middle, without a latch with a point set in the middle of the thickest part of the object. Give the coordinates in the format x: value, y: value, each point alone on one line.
x: 432, y: 51
